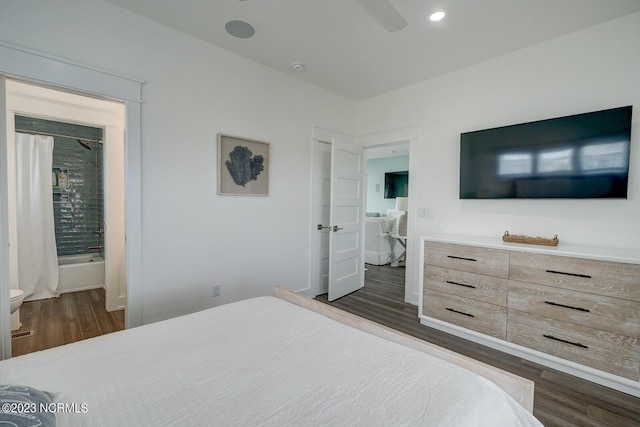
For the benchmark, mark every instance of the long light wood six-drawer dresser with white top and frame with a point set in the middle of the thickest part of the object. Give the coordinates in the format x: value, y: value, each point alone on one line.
x: 572, y: 308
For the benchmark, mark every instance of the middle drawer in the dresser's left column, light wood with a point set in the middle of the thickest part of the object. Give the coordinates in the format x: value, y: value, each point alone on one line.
x: 468, y: 285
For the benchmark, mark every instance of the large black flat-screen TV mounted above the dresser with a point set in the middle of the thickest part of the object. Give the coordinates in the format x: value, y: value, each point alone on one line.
x: 579, y: 156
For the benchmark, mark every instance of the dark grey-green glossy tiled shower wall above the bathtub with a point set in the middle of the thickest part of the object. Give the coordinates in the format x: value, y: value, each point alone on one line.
x: 78, y: 209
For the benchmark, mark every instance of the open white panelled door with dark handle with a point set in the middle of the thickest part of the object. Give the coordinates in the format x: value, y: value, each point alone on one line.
x: 346, y: 237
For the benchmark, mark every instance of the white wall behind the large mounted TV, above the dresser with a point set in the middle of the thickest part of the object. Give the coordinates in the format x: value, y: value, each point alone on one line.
x: 589, y: 70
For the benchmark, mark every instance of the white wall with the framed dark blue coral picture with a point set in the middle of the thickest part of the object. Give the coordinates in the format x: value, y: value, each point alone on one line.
x: 192, y: 237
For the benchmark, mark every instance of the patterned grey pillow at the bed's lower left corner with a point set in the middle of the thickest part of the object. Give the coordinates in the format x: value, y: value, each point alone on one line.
x: 20, y: 406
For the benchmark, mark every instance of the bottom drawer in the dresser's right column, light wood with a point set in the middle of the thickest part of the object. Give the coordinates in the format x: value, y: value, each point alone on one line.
x: 606, y: 351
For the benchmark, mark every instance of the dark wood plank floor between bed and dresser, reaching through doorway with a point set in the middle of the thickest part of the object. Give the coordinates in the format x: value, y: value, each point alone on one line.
x: 560, y: 400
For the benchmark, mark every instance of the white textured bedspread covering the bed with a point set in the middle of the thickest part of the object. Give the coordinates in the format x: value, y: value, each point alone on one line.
x: 261, y: 361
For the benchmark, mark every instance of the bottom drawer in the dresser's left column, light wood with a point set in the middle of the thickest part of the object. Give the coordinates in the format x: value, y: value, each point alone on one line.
x: 479, y: 316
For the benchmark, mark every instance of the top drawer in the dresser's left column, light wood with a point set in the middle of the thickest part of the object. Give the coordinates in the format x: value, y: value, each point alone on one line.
x: 492, y: 262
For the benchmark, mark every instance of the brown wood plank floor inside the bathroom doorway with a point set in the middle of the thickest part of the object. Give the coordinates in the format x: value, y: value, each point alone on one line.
x: 56, y: 321
